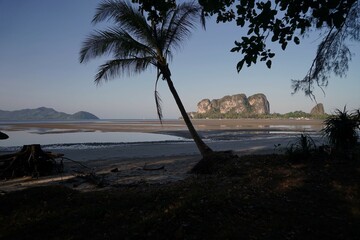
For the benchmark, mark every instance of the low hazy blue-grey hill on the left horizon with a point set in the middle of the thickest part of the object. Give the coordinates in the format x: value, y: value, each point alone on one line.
x: 44, y: 113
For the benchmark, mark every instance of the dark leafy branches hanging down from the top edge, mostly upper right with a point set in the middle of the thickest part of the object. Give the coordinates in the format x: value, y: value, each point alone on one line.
x: 285, y: 22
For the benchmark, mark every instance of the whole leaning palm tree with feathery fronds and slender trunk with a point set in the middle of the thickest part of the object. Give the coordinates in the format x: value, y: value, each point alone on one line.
x: 137, y: 44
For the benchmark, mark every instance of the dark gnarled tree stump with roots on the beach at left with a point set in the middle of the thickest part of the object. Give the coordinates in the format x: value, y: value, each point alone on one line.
x: 31, y: 160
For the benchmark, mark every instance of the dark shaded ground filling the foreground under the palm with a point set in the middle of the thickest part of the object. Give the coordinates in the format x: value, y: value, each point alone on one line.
x: 255, y: 197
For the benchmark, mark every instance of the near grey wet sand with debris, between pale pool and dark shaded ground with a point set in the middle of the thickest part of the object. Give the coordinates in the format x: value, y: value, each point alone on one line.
x: 125, y: 164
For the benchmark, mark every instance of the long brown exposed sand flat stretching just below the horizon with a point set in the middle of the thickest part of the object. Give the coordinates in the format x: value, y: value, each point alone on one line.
x: 154, y: 126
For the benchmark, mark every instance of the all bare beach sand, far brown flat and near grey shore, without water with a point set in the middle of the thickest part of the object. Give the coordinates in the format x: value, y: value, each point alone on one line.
x: 155, y: 162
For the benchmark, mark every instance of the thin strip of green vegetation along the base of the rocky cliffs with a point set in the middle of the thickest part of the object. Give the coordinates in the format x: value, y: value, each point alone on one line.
x: 234, y: 115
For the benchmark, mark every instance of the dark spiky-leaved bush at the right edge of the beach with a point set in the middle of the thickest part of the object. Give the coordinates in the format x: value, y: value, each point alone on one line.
x: 341, y: 129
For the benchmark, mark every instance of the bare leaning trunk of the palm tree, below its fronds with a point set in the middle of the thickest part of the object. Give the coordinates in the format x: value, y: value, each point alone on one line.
x: 204, y: 149
